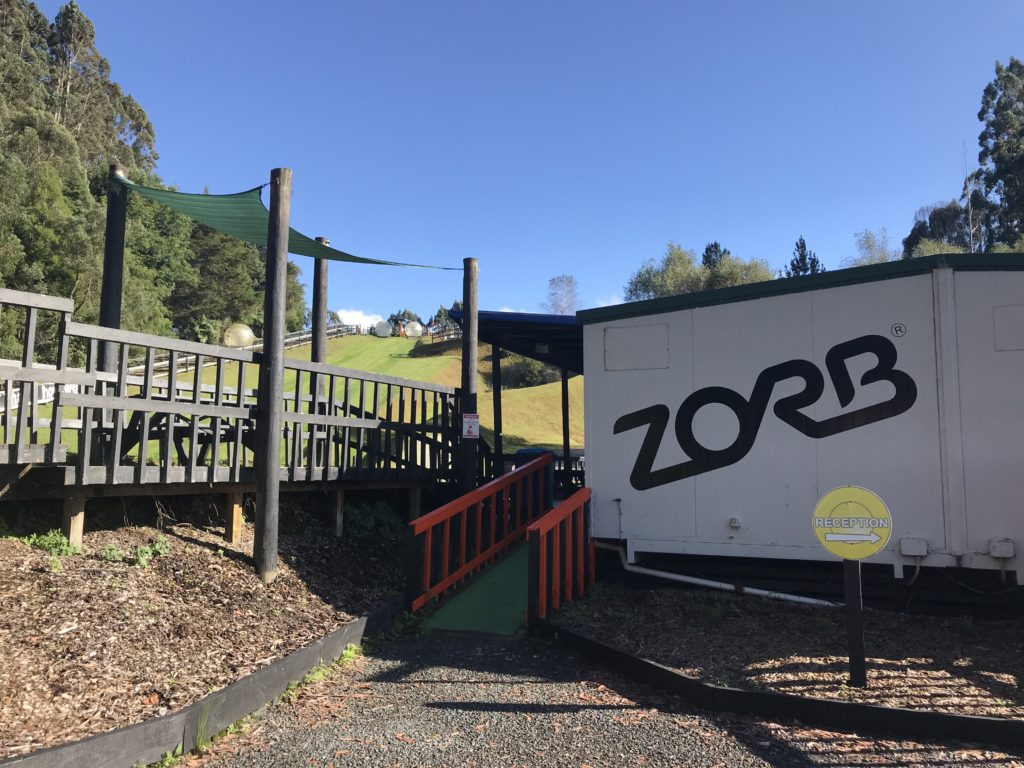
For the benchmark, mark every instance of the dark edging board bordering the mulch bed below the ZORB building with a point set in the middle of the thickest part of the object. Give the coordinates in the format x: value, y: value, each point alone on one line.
x: 846, y: 716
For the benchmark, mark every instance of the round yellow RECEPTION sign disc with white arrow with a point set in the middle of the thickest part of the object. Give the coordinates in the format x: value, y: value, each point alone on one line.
x: 852, y: 523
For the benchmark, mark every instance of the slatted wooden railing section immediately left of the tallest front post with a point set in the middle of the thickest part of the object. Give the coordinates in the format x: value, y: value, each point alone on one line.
x: 159, y: 428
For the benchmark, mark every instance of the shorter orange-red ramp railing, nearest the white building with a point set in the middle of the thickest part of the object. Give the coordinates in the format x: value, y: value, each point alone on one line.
x: 562, y: 557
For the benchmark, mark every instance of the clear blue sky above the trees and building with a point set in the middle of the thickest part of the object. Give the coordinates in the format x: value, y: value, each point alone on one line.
x: 574, y: 138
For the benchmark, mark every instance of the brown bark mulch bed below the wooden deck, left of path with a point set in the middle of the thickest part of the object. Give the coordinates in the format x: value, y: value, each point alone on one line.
x: 101, y: 645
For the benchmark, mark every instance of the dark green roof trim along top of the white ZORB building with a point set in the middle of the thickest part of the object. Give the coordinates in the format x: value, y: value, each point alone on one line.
x: 783, y: 286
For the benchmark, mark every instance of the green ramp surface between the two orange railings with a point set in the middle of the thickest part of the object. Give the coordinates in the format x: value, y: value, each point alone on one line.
x: 494, y: 603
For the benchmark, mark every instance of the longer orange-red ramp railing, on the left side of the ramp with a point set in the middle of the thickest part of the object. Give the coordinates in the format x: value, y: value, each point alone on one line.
x: 460, y: 538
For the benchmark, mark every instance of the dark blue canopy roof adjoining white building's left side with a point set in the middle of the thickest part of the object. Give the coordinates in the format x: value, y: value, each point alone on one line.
x: 554, y: 339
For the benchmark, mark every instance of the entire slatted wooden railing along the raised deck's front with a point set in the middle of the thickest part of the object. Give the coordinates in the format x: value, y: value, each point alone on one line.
x: 197, y: 422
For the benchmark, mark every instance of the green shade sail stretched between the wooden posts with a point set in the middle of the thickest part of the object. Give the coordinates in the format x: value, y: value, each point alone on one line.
x: 243, y: 216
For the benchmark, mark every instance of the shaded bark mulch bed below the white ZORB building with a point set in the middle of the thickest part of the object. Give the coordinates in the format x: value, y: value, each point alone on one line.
x: 948, y: 665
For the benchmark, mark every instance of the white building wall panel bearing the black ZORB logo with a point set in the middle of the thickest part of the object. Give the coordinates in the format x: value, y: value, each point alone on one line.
x: 743, y: 359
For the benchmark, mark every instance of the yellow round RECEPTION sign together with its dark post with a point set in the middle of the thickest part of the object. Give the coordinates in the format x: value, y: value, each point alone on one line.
x: 854, y: 524
